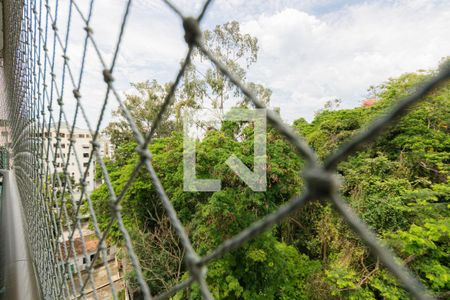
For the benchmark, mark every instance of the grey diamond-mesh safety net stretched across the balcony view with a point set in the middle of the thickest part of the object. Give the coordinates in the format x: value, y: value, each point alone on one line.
x: 44, y: 99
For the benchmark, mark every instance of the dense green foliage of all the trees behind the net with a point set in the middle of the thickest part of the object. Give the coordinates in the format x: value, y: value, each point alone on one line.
x: 399, y: 185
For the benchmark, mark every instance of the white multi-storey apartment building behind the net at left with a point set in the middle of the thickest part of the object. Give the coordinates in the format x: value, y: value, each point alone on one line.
x: 78, y: 160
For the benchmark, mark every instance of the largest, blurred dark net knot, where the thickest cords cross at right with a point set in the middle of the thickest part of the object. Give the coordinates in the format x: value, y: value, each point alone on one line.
x: 320, y: 183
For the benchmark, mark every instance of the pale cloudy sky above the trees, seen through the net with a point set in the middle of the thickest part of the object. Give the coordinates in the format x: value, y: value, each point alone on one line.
x: 311, y: 51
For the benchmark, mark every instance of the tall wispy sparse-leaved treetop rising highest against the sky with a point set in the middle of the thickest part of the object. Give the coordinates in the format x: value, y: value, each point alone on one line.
x: 204, y: 85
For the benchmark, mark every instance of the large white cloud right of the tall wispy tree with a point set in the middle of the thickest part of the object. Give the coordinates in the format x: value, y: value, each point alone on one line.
x: 307, y: 59
